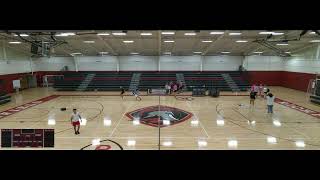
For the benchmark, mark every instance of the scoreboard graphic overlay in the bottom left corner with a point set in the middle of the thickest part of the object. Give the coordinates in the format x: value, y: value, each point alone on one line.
x: 26, y: 138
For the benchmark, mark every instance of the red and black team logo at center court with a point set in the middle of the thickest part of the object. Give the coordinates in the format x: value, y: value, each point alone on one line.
x: 152, y: 114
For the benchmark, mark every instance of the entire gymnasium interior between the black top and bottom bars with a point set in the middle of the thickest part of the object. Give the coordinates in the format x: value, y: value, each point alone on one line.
x: 44, y: 75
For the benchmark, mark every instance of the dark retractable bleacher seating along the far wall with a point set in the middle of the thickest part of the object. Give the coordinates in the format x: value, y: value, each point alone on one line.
x: 111, y: 81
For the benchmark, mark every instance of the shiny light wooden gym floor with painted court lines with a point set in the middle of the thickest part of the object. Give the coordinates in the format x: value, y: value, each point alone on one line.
x: 227, y: 122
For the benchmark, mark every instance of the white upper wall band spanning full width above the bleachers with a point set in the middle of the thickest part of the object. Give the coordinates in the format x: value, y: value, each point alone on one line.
x: 306, y: 62
